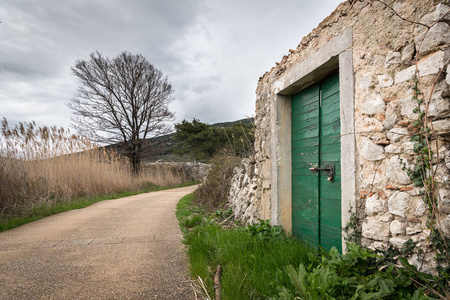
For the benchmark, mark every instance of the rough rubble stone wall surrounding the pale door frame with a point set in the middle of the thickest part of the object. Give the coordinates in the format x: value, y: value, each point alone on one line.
x: 385, y: 53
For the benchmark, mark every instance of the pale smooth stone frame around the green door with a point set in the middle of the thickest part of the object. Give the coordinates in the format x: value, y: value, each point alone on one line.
x: 337, y: 54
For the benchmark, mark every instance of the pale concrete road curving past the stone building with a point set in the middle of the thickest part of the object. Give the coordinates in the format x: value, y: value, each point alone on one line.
x: 129, y: 248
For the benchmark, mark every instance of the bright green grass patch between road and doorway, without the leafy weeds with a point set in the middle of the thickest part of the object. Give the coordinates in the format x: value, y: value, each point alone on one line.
x: 253, y: 265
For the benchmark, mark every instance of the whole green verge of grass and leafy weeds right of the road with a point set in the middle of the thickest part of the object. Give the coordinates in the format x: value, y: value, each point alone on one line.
x: 260, y: 262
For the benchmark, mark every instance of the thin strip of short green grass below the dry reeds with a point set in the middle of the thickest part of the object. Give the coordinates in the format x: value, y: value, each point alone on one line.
x: 45, y: 210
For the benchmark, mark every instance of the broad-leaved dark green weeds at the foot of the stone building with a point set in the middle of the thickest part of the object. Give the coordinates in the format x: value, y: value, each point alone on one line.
x: 359, y: 274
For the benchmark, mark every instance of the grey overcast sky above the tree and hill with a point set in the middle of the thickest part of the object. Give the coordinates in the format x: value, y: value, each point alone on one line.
x: 213, y: 51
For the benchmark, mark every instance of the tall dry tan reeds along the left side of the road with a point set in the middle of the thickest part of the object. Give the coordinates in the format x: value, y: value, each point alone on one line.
x: 49, y: 165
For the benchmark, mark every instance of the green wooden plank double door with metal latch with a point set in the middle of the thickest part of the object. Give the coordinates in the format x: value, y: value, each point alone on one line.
x: 316, y: 201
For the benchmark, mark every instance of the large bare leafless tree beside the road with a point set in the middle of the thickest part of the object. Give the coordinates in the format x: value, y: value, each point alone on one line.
x: 122, y: 100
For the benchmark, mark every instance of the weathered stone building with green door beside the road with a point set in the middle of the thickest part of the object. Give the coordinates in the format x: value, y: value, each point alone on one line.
x: 334, y: 121
